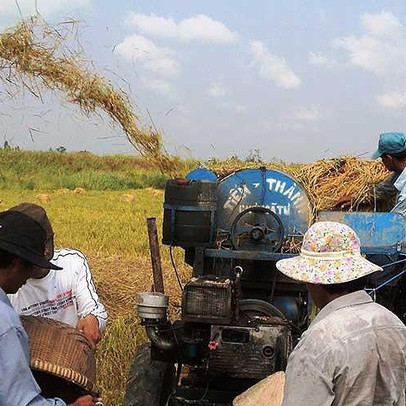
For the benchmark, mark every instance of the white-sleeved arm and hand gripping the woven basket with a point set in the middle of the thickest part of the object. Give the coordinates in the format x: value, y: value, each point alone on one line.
x: 92, y: 314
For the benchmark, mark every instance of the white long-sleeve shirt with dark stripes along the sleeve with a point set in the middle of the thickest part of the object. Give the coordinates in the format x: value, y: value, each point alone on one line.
x: 65, y: 295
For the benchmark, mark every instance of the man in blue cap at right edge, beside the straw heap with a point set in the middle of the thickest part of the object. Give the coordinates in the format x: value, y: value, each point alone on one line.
x: 392, y: 151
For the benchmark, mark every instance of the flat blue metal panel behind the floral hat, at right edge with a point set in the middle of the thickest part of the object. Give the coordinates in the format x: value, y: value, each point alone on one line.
x: 380, y: 233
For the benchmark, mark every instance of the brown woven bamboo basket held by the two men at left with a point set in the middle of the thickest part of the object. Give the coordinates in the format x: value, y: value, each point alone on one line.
x: 61, y: 358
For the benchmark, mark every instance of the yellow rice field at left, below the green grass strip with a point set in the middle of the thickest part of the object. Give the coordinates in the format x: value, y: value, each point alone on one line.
x: 110, y: 228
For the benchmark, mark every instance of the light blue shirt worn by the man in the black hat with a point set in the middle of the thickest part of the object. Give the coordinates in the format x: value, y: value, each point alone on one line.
x: 17, y: 384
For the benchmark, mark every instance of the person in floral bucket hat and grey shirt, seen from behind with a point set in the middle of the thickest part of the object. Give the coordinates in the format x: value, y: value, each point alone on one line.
x: 354, y: 352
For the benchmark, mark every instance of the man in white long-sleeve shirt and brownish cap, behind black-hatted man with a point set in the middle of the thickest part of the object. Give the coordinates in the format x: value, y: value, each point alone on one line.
x: 68, y: 295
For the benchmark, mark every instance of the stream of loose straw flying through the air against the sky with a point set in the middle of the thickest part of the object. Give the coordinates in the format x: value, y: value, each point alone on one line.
x: 34, y: 52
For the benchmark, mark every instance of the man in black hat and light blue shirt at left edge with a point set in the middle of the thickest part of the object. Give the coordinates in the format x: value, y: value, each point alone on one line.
x: 22, y: 245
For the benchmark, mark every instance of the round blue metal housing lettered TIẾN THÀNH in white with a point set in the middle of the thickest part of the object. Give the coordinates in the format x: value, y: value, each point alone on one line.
x: 271, y: 189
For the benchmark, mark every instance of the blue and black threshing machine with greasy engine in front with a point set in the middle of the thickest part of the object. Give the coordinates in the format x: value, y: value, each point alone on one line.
x: 240, y: 317
